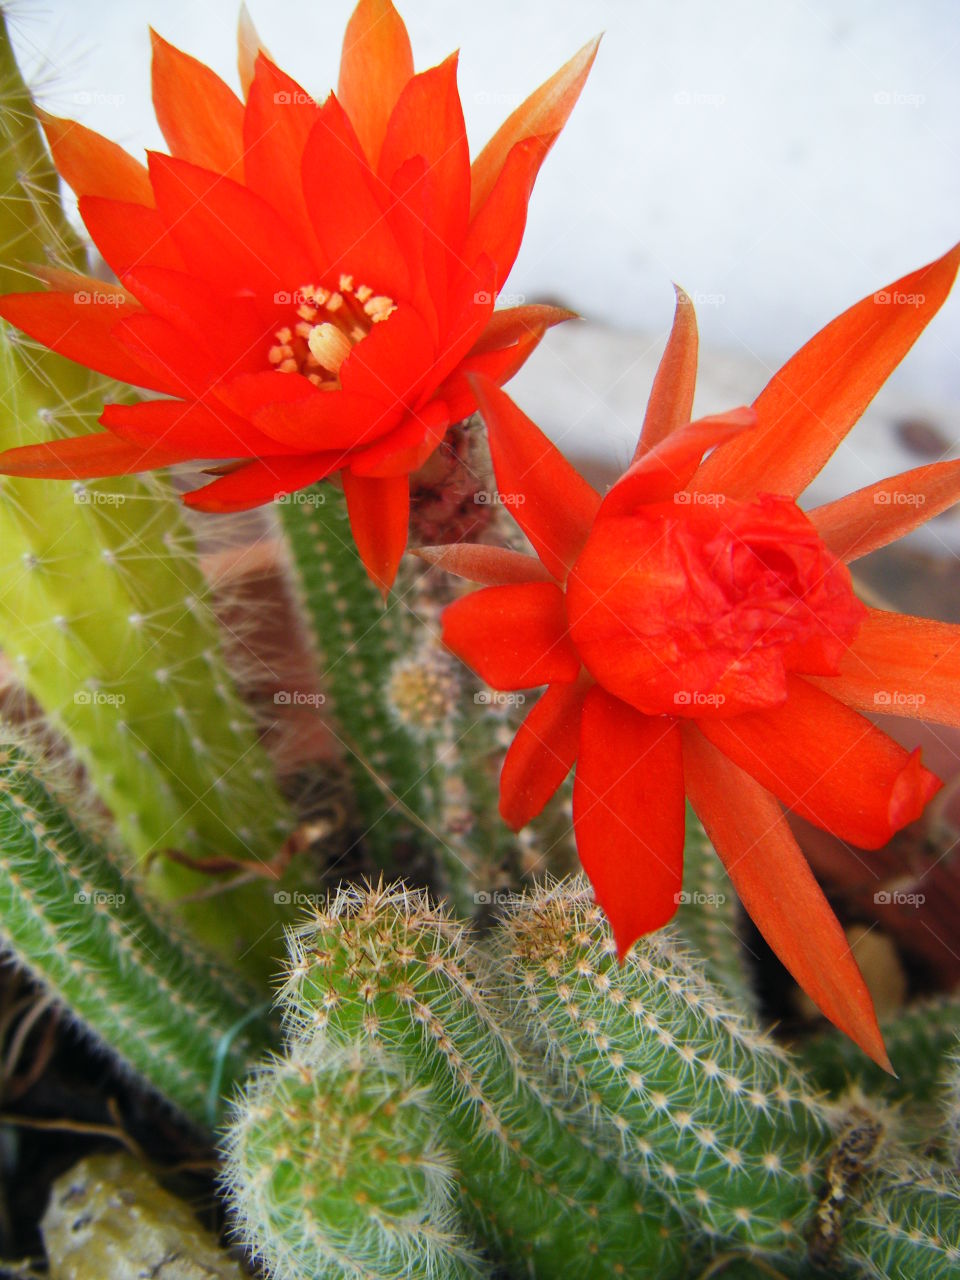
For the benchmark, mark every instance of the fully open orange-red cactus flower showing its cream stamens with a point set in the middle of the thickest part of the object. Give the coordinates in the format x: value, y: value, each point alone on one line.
x: 309, y: 284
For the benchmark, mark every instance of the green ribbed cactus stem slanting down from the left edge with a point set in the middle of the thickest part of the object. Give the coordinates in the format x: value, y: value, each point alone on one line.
x: 171, y: 1016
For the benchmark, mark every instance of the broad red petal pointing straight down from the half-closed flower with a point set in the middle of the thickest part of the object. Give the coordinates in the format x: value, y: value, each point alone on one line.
x: 629, y: 815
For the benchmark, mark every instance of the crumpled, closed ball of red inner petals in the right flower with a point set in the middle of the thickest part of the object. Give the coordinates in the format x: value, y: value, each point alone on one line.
x: 703, y: 610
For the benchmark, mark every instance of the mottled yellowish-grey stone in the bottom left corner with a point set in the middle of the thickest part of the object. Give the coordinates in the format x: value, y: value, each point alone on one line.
x: 108, y: 1219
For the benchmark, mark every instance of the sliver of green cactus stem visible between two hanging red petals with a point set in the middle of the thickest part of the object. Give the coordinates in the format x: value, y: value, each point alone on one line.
x: 710, y: 916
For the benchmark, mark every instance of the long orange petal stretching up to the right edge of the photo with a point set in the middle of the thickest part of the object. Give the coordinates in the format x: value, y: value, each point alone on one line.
x: 811, y: 405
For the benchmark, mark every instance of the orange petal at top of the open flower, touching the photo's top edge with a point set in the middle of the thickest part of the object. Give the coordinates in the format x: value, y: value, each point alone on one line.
x: 376, y: 66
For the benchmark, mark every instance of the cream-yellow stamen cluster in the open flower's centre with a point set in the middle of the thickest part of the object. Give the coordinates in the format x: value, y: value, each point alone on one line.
x: 330, y: 324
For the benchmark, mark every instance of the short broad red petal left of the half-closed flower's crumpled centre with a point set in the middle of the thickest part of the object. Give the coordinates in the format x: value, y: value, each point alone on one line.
x: 514, y: 637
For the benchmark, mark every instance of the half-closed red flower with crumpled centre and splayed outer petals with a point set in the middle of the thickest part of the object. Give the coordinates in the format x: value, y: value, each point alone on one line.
x: 700, y: 637
